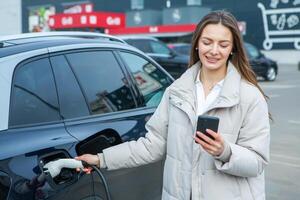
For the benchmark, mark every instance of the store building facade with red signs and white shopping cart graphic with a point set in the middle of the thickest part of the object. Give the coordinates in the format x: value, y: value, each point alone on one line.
x: 269, y: 24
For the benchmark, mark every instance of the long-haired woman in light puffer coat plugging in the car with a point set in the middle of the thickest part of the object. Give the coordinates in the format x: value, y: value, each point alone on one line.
x: 219, y: 82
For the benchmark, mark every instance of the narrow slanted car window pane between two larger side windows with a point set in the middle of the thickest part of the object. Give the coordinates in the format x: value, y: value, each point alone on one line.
x: 71, y: 100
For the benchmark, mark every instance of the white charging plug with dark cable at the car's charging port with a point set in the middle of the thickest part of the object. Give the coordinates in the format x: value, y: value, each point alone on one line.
x: 54, y: 167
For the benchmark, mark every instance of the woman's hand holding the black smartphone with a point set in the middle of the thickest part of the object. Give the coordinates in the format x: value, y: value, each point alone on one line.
x: 214, y: 147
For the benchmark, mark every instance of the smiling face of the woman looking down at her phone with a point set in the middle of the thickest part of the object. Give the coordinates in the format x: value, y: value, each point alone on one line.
x: 215, y: 46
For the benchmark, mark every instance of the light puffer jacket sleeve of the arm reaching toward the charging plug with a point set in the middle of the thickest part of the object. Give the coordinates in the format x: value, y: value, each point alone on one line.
x: 146, y: 149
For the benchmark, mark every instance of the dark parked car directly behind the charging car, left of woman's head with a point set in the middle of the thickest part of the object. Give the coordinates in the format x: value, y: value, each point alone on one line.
x: 170, y: 60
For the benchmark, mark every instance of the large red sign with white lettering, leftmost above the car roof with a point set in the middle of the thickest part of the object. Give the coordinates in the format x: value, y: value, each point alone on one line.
x: 87, y: 20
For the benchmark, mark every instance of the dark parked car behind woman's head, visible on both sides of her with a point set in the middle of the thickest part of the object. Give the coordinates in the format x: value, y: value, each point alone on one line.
x: 261, y: 65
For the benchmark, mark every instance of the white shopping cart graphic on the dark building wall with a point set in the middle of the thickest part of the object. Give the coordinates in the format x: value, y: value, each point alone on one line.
x: 282, y: 29
